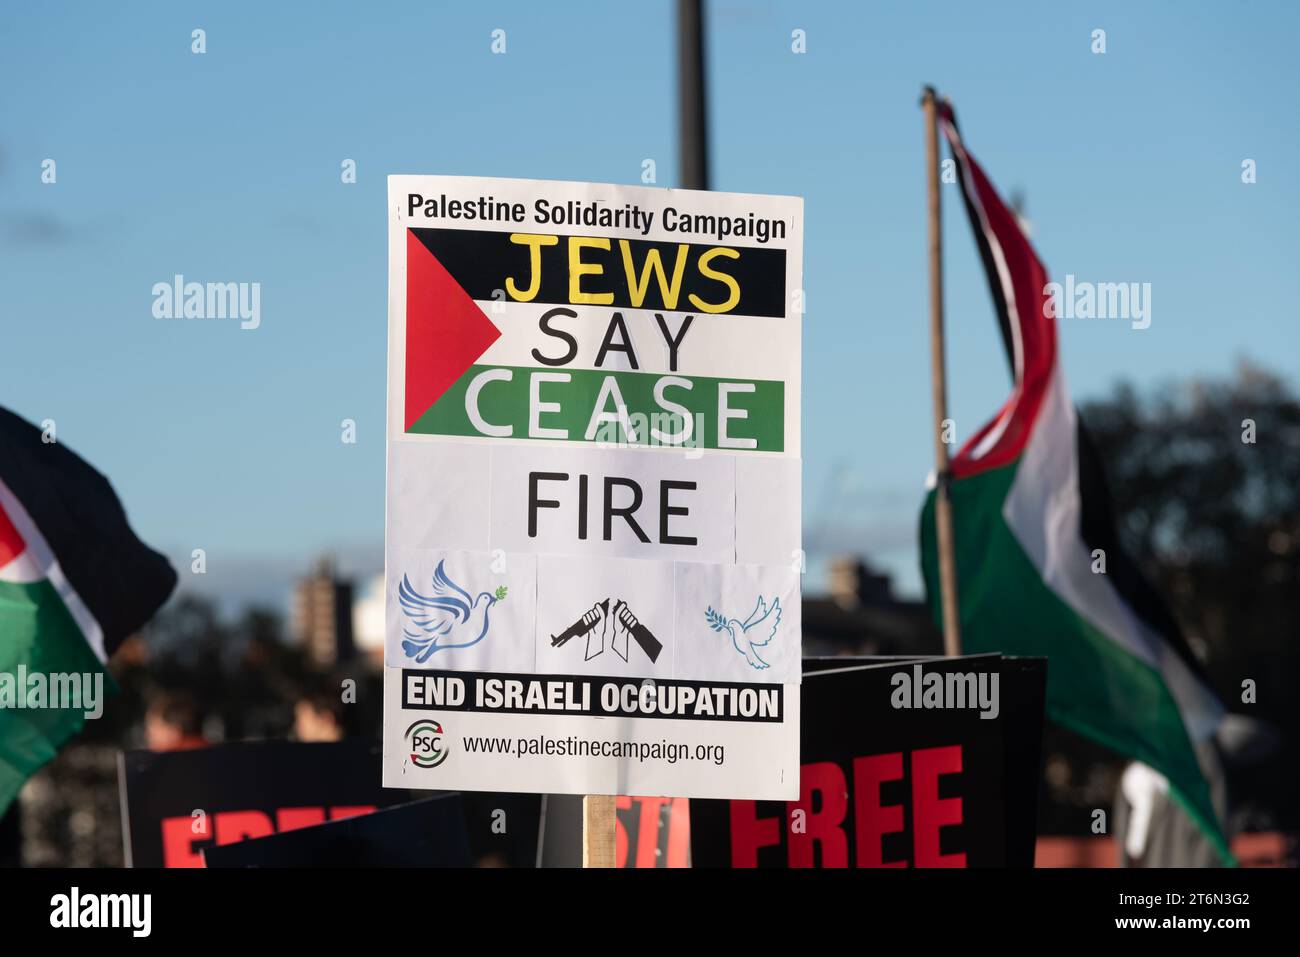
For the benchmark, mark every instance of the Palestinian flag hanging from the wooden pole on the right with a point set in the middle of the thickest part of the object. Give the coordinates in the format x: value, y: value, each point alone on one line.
x: 1030, y: 510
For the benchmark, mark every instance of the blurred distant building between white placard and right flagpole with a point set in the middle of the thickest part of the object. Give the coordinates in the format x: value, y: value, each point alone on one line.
x: 860, y: 616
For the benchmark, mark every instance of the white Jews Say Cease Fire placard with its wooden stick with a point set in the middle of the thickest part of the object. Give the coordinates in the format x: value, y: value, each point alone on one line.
x: 593, y: 492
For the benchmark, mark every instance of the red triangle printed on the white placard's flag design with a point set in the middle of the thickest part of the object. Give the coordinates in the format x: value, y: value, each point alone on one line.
x: 447, y: 332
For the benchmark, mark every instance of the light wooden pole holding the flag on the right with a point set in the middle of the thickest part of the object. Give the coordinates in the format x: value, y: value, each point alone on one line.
x: 939, y: 387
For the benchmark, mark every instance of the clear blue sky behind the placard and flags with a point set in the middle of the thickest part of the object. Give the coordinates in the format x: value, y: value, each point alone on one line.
x: 226, y: 167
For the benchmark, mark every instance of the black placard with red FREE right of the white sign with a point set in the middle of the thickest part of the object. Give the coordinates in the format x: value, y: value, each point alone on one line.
x: 896, y: 787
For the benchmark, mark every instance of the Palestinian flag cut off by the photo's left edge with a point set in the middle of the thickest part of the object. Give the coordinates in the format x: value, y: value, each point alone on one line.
x: 75, y: 583
